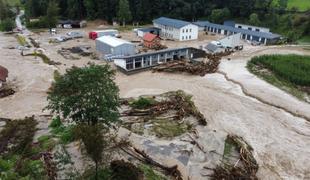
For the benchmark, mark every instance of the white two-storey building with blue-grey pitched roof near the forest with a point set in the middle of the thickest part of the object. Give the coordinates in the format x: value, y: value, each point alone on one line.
x: 176, y: 29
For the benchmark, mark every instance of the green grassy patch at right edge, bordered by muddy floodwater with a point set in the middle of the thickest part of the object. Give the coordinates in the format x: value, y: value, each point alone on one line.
x: 290, y: 73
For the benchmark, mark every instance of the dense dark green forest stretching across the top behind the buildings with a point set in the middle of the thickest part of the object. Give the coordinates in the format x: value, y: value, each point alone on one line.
x: 270, y: 13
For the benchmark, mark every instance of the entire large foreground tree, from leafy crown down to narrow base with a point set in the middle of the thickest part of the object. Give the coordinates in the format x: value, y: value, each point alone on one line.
x: 89, y: 97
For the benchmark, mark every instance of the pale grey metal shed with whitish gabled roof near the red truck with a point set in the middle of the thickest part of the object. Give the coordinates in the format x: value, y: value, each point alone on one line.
x: 108, y: 45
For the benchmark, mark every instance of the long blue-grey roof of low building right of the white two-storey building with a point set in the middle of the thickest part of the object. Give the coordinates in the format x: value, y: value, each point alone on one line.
x: 238, y: 30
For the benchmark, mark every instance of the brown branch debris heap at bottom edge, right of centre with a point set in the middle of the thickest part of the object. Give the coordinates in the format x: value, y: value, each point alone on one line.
x: 245, y: 167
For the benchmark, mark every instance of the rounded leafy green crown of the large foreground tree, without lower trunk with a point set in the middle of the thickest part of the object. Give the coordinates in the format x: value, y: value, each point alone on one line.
x: 86, y: 95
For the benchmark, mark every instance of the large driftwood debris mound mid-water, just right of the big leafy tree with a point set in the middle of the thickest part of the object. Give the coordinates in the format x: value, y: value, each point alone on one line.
x: 167, y: 115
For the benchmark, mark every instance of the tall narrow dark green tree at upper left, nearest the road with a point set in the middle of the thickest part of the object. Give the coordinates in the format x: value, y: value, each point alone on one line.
x: 52, y: 14
